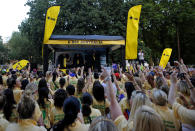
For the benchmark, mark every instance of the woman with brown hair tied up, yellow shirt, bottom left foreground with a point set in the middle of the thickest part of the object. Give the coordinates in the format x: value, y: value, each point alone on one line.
x: 26, y: 109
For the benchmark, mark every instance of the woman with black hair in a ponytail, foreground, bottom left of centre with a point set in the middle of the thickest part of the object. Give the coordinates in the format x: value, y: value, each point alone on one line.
x: 71, y: 120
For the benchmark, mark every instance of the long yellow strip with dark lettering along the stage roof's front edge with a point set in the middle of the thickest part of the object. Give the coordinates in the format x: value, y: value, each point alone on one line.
x: 86, y: 42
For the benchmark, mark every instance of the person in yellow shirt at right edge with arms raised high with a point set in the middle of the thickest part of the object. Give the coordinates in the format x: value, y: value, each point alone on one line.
x: 185, y: 115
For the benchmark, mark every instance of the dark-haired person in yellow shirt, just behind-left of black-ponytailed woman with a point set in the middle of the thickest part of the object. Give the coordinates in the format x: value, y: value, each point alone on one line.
x: 57, y: 113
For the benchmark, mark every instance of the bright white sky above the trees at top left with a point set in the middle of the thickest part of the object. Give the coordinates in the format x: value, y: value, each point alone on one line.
x: 12, y: 13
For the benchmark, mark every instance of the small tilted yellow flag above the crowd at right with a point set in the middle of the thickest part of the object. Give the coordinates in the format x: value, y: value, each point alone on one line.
x: 165, y: 57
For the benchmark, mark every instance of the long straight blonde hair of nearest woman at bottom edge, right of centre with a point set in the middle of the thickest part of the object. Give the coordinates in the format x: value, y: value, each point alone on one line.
x: 146, y: 119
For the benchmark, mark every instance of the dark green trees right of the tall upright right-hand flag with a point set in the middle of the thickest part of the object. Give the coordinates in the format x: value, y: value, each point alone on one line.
x: 162, y: 20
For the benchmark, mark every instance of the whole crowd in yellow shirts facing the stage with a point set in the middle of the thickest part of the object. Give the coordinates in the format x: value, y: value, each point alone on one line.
x: 135, y: 99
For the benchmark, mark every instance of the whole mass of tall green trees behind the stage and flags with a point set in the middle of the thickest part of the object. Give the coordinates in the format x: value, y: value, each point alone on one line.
x: 160, y: 22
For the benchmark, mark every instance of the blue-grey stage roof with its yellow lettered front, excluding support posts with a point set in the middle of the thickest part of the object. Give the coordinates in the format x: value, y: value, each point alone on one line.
x: 81, y: 42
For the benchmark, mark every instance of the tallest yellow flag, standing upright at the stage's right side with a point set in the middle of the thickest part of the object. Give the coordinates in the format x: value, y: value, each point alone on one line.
x: 132, y: 32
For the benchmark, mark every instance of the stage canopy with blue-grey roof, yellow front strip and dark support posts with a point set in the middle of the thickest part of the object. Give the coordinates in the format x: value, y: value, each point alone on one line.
x: 100, y: 43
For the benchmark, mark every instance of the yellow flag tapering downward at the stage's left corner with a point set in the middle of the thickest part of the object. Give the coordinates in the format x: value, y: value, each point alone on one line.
x: 51, y: 19
